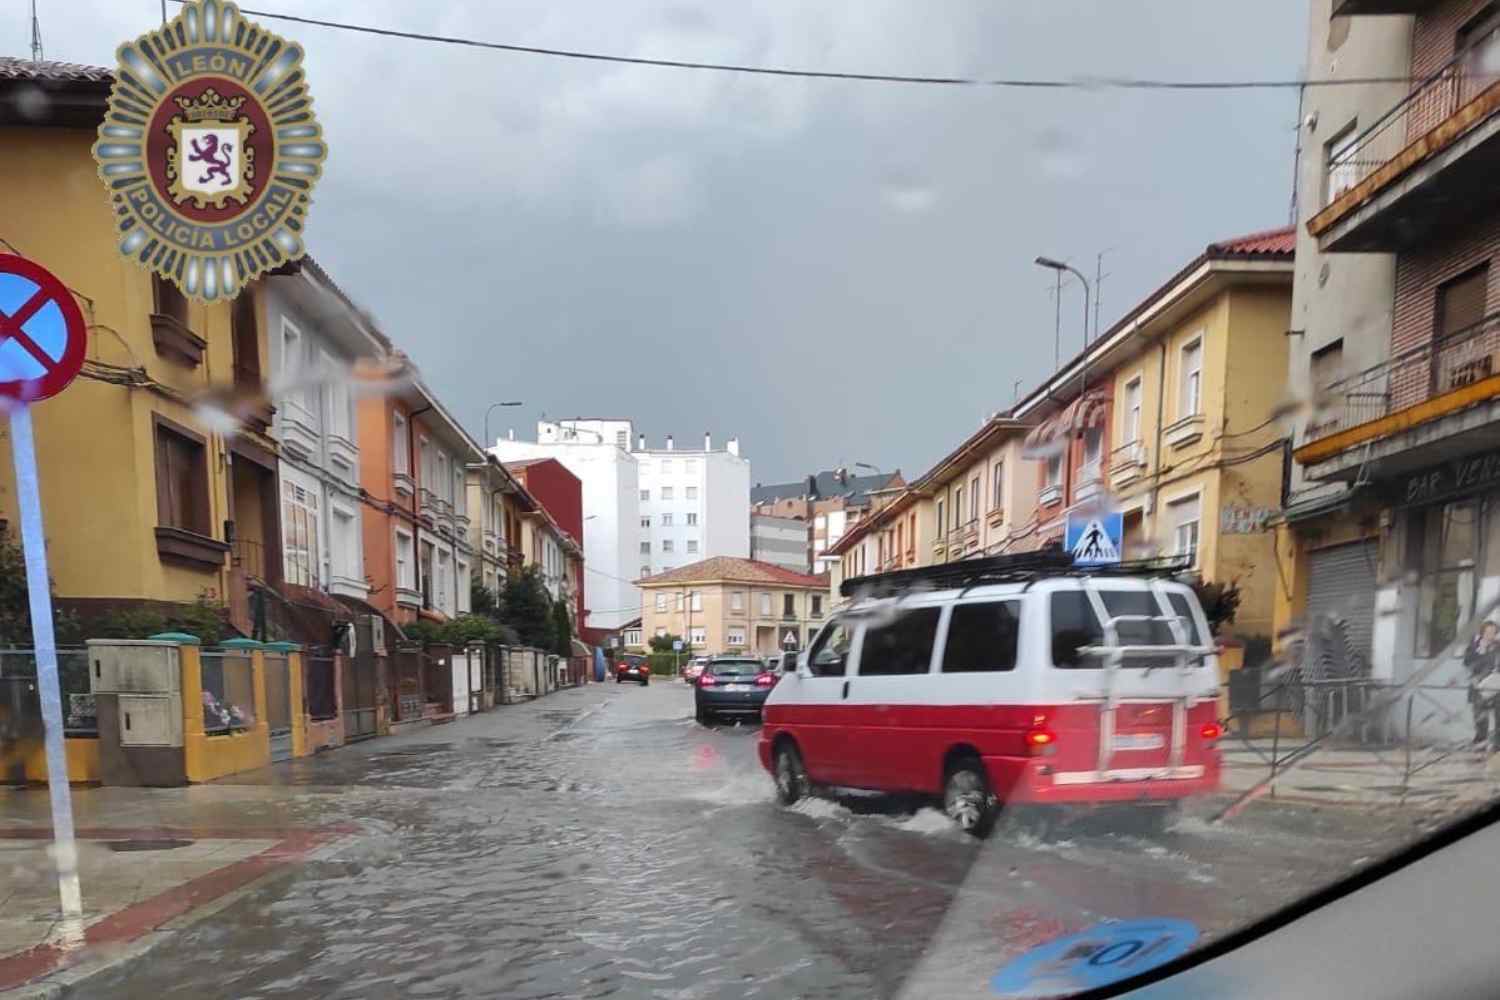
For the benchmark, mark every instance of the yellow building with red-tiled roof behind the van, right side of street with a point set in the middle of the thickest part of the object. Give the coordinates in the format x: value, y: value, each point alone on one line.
x: 1184, y: 439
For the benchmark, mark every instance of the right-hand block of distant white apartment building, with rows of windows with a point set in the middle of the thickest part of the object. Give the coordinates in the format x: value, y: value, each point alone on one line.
x: 694, y: 504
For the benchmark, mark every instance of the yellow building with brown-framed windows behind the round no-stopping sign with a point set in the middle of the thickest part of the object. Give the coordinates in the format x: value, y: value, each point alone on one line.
x: 140, y: 494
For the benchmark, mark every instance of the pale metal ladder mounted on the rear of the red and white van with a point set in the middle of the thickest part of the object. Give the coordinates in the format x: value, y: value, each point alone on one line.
x: 1184, y: 653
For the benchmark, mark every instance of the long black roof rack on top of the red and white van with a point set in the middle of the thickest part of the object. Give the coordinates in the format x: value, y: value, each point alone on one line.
x: 1021, y: 567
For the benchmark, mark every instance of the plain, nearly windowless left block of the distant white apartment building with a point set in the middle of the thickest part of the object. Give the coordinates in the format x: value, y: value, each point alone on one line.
x: 607, y: 472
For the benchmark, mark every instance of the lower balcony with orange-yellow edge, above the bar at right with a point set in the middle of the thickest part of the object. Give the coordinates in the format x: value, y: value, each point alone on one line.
x: 1423, y: 407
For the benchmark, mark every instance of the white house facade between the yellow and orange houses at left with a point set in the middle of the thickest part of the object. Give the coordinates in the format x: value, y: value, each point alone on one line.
x: 323, y: 542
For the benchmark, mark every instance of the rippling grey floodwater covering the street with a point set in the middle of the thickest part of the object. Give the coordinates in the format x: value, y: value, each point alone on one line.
x: 601, y: 843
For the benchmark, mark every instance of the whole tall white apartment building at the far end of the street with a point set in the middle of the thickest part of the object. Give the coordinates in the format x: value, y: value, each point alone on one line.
x: 646, y: 510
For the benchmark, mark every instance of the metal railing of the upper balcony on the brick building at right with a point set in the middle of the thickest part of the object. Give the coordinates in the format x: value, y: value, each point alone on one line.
x: 1432, y: 103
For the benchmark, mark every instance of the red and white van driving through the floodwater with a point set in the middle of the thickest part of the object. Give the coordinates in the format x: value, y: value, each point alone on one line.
x: 1057, y: 689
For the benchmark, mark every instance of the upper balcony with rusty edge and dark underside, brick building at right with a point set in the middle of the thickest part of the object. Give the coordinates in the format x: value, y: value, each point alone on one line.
x: 1426, y: 166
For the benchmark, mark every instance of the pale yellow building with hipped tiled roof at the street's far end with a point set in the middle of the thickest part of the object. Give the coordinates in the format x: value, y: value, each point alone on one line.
x: 728, y: 605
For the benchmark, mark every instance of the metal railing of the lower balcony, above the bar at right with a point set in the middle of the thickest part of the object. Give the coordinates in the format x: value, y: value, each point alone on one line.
x: 1412, y: 377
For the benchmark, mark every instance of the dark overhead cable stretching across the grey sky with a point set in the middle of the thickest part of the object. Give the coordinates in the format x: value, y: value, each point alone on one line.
x: 1016, y: 83
